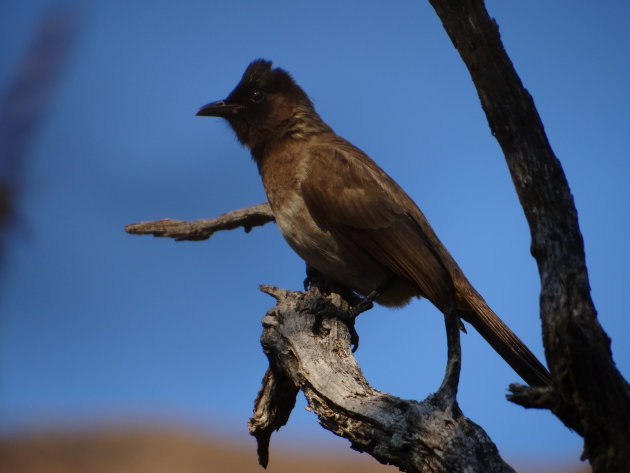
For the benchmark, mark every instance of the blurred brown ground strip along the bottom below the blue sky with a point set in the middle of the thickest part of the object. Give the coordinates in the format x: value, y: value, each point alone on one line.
x: 168, y: 450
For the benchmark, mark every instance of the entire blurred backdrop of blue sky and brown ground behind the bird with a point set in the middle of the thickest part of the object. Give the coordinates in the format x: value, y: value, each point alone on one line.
x: 114, y: 343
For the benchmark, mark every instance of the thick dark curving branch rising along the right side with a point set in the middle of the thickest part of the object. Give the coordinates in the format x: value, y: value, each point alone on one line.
x: 589, y: 394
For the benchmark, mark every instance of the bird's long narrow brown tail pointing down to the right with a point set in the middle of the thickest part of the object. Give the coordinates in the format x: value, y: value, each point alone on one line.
x: 501, y: 338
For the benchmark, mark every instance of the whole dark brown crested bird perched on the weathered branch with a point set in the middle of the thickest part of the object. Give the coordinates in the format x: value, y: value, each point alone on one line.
x: 346, y: 217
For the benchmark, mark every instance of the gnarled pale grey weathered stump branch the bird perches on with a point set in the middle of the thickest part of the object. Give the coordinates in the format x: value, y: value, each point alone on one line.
x: 429, y: 436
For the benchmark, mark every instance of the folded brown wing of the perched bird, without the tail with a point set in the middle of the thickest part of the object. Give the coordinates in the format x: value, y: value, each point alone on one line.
x: 348, y: 194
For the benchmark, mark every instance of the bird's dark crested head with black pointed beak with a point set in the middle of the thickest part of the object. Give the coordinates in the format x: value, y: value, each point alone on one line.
x: 261, y: 105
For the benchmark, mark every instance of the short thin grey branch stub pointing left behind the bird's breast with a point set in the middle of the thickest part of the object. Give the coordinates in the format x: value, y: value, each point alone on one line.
x: 203, y: 229
